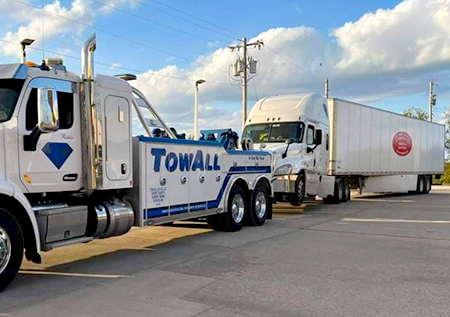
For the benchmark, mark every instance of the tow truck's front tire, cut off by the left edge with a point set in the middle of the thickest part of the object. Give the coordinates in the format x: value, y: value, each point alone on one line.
x: 11, y: 248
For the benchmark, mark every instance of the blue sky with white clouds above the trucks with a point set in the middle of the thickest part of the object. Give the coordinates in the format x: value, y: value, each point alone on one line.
x: 382, y: 53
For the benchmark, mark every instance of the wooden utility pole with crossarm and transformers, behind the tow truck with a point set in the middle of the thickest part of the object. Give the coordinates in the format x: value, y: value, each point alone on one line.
x: 241, y: 68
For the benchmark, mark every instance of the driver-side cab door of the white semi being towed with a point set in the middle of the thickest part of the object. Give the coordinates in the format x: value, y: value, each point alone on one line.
x: 312, y: 162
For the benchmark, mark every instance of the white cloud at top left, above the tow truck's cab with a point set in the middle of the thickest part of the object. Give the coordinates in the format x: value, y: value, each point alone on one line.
x: 57, y: 22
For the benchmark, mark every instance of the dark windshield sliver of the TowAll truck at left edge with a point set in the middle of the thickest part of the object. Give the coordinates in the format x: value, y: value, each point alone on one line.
x: 9, y: 93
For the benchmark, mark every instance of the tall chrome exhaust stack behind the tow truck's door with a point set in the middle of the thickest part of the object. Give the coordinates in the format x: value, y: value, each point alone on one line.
x: 91, y: 124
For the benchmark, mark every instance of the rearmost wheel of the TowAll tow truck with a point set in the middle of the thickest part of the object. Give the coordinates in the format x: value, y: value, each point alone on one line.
x: 259, y: 206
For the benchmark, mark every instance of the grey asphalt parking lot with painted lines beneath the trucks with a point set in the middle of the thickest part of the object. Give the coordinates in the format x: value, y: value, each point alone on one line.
x: 374, y: 256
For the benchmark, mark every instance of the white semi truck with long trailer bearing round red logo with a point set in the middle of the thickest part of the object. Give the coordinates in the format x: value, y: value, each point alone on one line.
x: 324, y: 147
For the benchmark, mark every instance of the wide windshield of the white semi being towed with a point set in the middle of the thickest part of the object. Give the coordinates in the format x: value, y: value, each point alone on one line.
x: 274, y: 132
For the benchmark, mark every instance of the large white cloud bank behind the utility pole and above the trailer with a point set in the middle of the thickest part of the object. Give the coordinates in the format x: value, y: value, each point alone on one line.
x: 385, y: 53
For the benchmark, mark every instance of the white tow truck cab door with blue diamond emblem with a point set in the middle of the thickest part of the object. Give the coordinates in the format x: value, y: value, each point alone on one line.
x: 55, y: 164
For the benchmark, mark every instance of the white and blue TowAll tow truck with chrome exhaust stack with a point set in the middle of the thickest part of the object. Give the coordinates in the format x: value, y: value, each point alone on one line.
x: 71, y: 171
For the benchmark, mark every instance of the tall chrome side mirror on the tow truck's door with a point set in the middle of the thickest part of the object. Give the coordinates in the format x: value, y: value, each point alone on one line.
x: 48, y: 116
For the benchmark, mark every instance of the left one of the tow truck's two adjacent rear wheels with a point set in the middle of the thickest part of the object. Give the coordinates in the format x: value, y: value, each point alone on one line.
x: 233, y: 219
